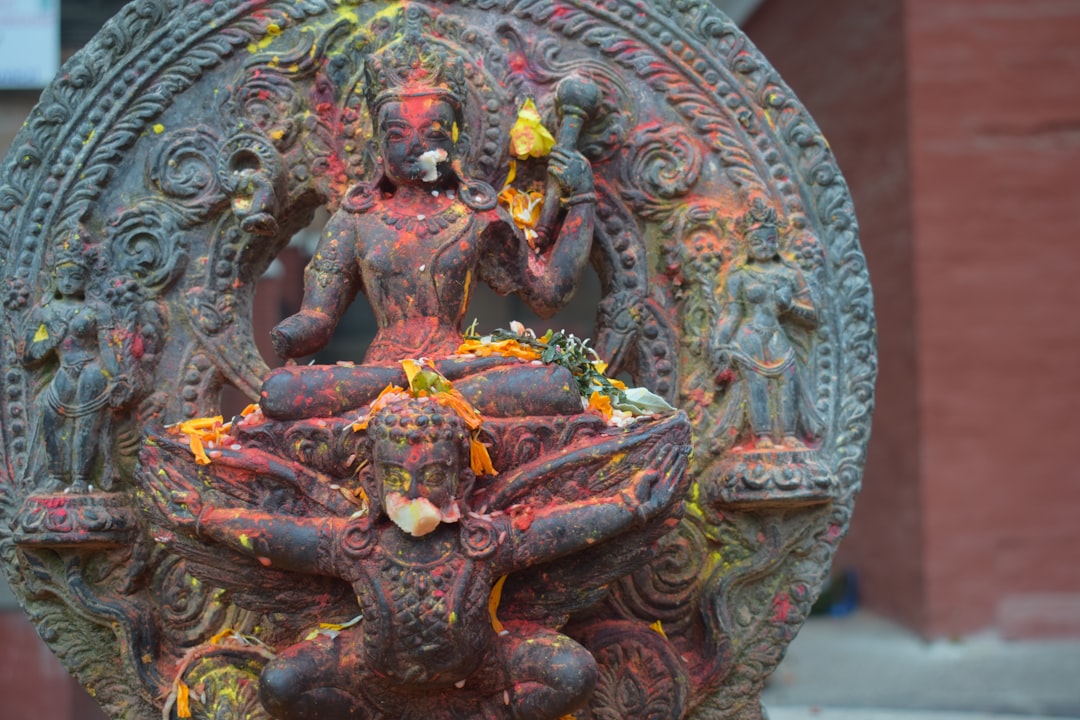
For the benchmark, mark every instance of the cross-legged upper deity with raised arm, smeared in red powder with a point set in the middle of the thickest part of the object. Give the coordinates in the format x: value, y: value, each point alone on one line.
x: 415, y: 241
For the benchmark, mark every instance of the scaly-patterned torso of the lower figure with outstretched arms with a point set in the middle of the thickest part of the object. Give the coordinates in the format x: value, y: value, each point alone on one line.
x: 423, y: 621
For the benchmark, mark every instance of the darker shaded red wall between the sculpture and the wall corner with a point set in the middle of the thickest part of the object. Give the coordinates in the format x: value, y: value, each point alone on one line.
x: 845, y: 60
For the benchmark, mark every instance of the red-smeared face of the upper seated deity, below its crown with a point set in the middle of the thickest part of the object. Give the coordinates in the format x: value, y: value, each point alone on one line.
x: 410, y: 129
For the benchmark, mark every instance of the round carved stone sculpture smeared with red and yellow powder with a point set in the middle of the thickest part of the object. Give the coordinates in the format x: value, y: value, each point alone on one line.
x: 478, y: 524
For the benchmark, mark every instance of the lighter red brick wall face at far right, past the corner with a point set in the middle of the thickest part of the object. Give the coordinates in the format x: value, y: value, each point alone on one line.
x: 996, y: 117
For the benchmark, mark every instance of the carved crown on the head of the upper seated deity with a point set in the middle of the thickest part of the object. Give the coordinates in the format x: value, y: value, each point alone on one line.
x: 414, y: 66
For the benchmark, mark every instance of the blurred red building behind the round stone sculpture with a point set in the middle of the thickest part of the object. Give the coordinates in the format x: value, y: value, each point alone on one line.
x: 957, y: 126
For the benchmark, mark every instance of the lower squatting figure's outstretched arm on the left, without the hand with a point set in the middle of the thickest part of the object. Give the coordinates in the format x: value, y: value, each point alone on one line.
x: 298, y: 545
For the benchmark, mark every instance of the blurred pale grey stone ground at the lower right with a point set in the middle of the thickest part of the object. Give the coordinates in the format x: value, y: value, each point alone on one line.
x: 862, y: 668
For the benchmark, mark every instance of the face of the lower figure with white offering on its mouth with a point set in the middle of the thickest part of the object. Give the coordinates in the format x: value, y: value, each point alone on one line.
x: 418, y: 483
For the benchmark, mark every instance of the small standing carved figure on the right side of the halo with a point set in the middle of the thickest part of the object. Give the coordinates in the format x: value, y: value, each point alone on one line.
x: 764, y: 303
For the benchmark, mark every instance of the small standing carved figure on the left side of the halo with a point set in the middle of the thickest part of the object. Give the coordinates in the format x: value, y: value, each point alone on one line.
x: 75, y: 330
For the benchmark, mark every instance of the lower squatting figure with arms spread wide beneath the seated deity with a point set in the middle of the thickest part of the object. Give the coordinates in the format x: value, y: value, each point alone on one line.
x: 424, y: 565
